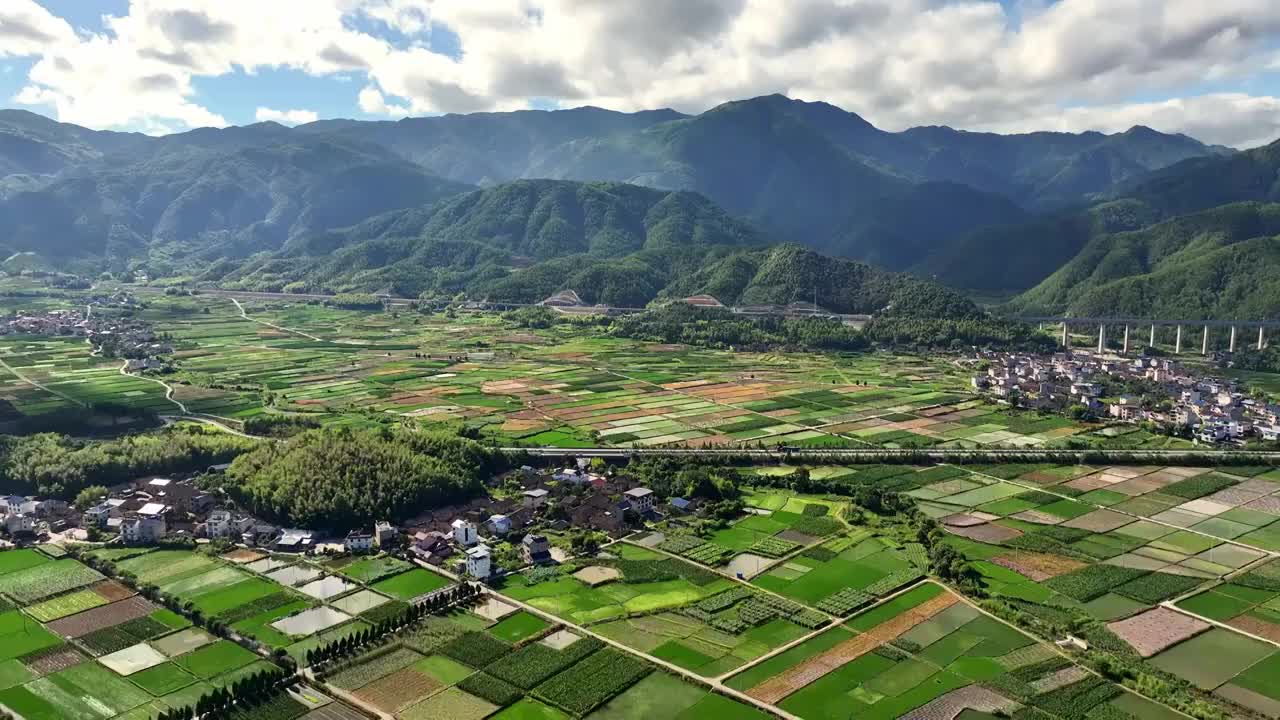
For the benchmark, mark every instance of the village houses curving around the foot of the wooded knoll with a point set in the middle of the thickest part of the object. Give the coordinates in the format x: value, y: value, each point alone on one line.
x: 487, y: 537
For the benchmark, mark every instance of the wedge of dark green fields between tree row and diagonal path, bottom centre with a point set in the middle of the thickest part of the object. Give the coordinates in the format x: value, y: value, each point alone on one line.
x: 511, y: 664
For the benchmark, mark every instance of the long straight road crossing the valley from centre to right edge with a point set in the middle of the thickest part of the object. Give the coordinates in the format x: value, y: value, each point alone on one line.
x: 924, y: 455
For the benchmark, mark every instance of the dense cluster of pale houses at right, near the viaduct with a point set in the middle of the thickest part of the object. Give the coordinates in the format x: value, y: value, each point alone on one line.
x: 1215, y: 411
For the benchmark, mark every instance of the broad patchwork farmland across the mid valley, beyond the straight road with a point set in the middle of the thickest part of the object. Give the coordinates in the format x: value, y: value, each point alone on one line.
x: 560, y: 386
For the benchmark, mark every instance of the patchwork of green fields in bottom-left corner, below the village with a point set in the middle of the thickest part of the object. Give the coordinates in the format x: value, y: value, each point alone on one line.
x: 88, y: 648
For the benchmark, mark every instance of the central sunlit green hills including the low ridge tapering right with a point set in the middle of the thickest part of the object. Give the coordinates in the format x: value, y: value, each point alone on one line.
x: 616, y: 244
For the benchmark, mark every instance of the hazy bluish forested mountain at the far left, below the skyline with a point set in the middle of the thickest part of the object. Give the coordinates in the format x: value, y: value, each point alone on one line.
x: 184, y: 204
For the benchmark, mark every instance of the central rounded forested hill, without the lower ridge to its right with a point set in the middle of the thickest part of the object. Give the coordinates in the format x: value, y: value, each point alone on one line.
x: 519, y: 241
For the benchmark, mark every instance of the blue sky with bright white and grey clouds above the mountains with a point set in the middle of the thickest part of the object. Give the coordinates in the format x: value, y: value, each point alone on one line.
x: 1208, y: 69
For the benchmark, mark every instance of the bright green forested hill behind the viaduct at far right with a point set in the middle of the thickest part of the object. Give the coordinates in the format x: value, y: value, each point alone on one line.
x: 1219, y: 263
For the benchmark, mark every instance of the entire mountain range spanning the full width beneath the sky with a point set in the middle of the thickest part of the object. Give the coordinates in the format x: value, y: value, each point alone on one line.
x: 513, y: 204
